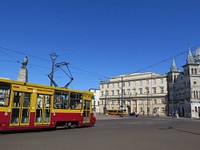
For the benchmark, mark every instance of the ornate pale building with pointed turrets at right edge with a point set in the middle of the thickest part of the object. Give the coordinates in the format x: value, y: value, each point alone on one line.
x: 184, y: 87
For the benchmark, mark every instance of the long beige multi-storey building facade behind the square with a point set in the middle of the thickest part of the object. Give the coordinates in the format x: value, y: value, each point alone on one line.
x: 144, y: 93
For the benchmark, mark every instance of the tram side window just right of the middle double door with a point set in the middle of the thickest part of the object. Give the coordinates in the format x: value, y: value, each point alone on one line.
x: 61, y: 100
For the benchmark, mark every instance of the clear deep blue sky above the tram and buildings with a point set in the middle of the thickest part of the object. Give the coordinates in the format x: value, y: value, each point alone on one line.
x: 99, y: 38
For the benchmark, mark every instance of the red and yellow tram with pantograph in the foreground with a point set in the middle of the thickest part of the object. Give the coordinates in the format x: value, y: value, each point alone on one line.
x: 32, y: 106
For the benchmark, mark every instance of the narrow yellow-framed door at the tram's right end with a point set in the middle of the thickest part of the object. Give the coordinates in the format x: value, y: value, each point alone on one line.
x: 86, y: 111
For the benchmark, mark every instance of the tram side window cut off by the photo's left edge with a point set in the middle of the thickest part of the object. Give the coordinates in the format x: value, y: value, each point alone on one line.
x: 4, y: 94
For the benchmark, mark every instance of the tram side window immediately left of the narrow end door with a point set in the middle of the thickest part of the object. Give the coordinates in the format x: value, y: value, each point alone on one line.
x: 76, y: 101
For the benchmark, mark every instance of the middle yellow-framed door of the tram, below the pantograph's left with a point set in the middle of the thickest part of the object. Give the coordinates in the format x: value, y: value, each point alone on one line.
x: 42, y: 113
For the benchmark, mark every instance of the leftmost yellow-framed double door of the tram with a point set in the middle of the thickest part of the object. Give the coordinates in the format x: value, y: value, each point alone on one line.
x: 20, y: 111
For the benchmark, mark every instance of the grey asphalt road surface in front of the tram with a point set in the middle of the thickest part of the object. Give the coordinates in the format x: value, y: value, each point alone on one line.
x: 116, y: 134
